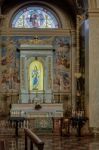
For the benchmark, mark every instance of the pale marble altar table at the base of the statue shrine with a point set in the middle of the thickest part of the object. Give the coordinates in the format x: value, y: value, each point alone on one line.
x: 45, y: 119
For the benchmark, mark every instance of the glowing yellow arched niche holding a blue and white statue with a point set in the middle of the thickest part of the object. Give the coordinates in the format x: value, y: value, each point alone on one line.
x: 36, y: 76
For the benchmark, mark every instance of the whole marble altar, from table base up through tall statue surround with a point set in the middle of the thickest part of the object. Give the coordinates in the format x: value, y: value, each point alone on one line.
x: 36, y: 86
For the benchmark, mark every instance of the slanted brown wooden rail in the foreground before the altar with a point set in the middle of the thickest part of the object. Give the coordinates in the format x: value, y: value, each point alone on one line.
x: 34, y: 139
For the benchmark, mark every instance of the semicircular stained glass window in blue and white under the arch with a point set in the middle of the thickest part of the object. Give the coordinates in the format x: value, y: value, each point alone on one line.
x: 35, y: 17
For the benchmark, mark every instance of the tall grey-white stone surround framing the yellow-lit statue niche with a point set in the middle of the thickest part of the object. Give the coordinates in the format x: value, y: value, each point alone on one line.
x: 36, y: 74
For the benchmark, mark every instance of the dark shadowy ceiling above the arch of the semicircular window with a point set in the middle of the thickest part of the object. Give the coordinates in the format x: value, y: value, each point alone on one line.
x: 72, y: 6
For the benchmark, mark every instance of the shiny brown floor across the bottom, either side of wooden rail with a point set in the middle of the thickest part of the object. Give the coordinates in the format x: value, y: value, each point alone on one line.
x: 56, y: 143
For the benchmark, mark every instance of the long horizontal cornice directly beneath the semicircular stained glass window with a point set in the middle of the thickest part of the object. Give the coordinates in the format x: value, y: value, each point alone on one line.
x: 32, y: 32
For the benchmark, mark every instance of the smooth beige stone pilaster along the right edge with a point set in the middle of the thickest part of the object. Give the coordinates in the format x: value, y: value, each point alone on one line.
x: 94, y: 68
